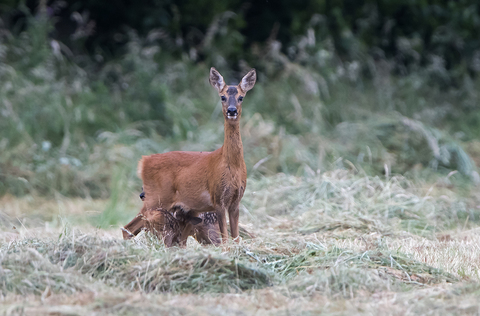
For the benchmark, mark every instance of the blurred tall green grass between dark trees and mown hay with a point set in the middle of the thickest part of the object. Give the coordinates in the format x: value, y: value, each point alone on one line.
x: 68, y: 125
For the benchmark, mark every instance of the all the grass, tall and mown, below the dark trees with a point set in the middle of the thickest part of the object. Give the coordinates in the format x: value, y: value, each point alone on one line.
x: 362, y: 194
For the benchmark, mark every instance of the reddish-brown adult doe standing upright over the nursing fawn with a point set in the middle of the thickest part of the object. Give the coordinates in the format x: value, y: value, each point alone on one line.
x: 199, y: 182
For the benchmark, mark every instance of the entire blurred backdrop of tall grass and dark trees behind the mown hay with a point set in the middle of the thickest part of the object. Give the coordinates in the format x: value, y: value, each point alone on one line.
x: 376, y: 87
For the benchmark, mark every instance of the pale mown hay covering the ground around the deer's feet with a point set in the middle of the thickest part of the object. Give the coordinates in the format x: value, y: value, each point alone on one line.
x: 331, y: 243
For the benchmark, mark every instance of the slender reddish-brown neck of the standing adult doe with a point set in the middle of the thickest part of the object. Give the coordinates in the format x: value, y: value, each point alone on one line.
x: 232, y: 145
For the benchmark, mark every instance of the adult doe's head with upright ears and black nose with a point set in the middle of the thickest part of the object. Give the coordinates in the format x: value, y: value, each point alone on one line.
x: 232, y: 96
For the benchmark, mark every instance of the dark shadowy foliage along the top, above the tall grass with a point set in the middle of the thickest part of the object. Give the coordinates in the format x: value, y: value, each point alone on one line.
x: 417, y: 33
